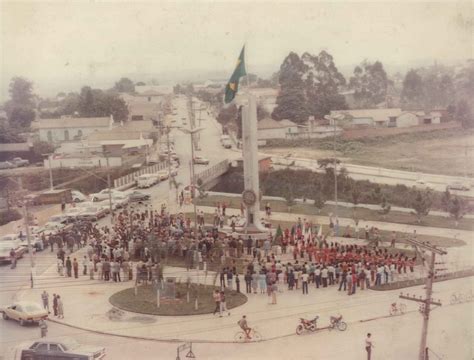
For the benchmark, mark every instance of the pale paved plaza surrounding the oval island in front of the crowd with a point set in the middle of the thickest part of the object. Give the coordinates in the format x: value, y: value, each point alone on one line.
x: 86, y: 304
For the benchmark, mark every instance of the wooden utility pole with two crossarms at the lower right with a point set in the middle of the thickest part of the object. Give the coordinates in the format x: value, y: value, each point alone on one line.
x: 427, y: 301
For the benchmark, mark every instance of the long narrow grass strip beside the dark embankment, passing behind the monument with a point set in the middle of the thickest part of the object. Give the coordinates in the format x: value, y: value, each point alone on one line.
x: 345, y: 212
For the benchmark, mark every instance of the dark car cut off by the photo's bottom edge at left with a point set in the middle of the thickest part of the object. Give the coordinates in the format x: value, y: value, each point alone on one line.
x: 61, y: 349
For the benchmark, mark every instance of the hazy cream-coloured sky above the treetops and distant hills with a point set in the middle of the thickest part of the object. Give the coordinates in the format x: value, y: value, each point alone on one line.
x: 65, y: 45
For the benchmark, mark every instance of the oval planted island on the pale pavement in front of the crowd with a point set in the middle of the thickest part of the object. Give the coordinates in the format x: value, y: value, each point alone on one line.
x: 184, y: 302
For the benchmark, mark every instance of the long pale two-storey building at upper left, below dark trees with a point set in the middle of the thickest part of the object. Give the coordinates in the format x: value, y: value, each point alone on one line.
x: 70, y: 129
